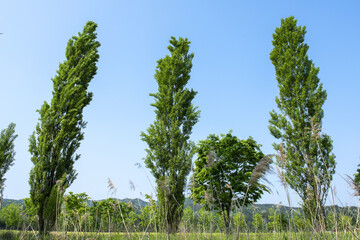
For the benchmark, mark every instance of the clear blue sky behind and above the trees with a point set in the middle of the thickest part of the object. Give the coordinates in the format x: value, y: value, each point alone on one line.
x: 232, y: 73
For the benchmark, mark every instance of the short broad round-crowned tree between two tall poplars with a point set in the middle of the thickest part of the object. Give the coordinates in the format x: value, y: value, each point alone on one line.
x: 222, y: 174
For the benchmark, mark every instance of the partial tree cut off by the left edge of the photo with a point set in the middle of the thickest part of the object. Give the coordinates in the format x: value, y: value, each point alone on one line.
x: 7, y: 154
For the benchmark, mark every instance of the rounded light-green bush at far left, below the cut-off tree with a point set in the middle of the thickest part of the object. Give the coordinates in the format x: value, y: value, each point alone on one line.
x: 12, y: 215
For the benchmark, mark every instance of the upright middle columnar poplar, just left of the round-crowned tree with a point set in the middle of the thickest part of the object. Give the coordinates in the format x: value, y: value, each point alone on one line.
x: 170, y: 151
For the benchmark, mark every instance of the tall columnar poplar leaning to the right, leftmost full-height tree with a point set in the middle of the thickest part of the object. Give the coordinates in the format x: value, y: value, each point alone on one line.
x: 58, y: 134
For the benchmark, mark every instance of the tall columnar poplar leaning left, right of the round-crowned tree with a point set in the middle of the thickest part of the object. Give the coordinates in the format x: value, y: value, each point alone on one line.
x: 307, y: 160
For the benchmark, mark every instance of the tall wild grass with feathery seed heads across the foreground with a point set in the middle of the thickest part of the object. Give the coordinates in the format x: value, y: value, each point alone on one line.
x: 279, y: 222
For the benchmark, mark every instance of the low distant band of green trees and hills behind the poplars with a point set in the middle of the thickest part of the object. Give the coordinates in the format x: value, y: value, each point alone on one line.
x: 79, y: 214
